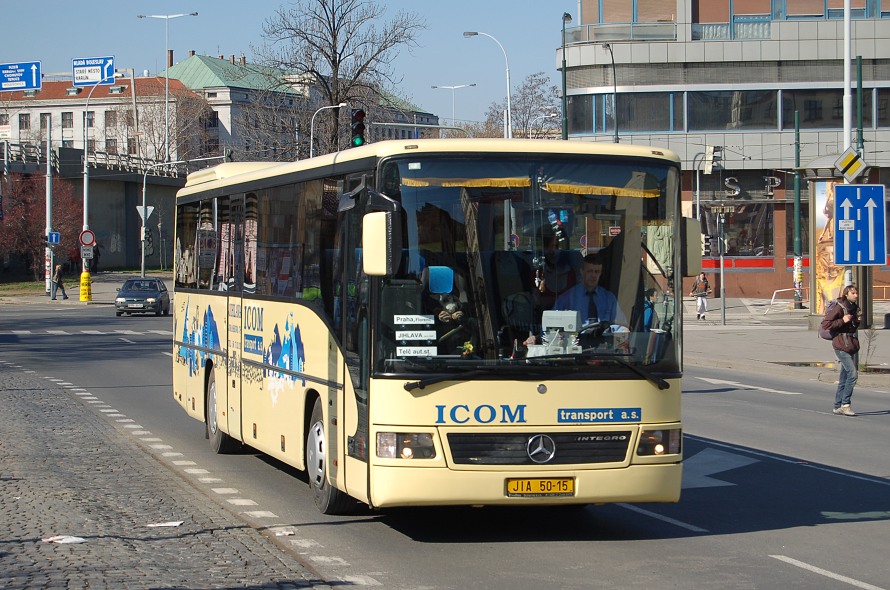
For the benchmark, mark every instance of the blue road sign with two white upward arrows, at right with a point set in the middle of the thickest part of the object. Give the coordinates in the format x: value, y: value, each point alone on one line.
x: 860, y: 225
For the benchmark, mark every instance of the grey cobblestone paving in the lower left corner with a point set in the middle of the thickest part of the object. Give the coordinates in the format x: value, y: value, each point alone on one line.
x: 65, y: 471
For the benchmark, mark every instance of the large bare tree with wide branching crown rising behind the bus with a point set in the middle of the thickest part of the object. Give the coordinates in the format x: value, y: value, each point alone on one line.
x: 341, y: 50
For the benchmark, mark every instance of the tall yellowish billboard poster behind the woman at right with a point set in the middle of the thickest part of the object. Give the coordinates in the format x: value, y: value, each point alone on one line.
x: 827, y: 279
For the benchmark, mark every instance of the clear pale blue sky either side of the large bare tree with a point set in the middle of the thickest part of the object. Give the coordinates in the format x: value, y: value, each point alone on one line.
x: 54, y: 32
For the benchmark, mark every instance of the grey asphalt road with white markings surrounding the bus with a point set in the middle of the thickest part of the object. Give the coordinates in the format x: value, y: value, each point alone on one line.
x: 778, y: 491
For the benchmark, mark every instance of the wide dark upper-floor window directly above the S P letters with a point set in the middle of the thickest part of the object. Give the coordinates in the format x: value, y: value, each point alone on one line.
x: 731, y: 110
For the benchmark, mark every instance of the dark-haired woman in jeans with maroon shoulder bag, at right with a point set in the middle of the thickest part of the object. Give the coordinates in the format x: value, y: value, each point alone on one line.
x: 842, y: 322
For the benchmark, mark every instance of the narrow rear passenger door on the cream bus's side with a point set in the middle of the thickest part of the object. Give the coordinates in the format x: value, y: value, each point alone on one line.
x: 234, y: 254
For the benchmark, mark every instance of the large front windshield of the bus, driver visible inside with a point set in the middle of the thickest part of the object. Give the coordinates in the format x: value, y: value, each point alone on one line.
x: 555, y: 263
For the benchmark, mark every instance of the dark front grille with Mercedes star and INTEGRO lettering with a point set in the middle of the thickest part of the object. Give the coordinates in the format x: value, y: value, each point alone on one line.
x: 573, y: 448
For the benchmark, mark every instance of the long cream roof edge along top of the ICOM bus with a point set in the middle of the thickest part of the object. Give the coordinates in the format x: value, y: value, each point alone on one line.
x: 233, y: 173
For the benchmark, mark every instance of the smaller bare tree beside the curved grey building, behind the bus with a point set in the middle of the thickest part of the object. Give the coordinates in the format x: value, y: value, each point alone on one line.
x: 532, y: 105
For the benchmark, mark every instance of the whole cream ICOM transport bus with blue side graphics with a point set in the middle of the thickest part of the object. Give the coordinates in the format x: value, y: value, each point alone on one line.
x: 441, y: 321
